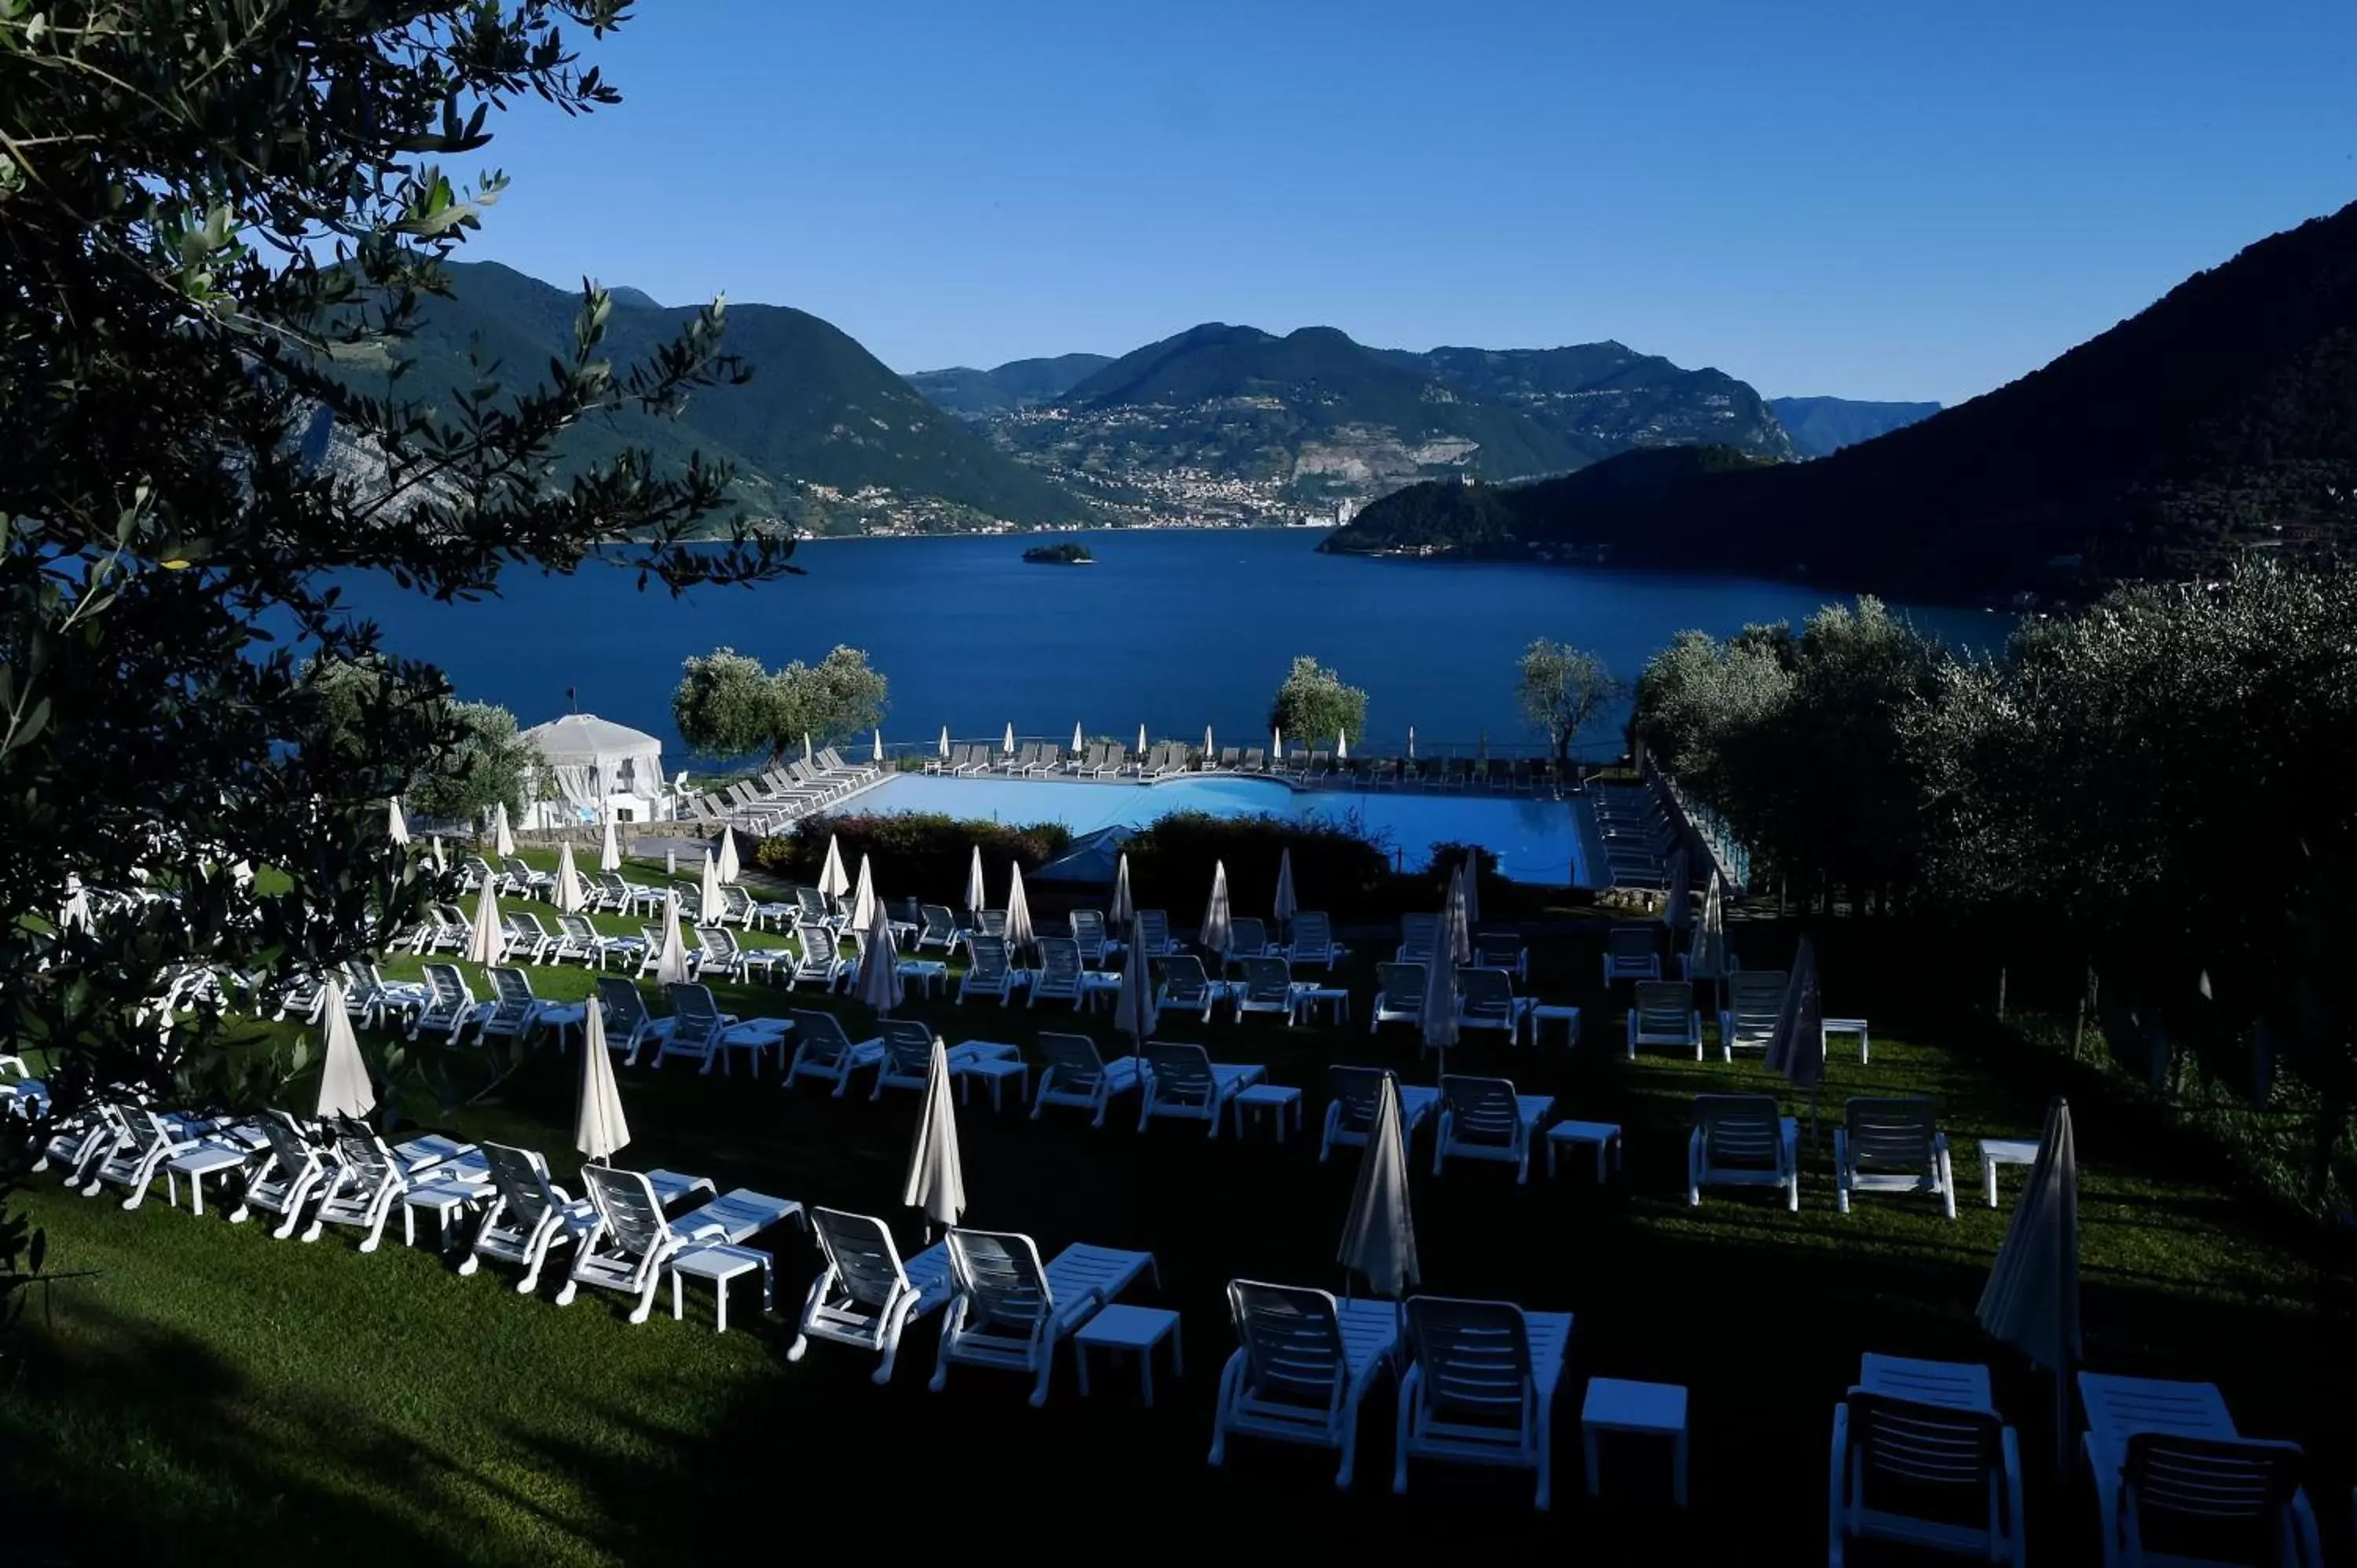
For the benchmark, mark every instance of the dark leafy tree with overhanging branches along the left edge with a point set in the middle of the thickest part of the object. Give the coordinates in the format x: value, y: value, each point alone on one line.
x: 202, y: 228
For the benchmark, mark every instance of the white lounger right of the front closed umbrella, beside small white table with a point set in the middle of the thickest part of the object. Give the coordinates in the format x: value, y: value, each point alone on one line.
x: 1010, y: 1312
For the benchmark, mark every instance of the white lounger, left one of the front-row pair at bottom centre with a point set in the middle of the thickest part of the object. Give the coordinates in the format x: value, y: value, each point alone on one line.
x: 1302, y: 1369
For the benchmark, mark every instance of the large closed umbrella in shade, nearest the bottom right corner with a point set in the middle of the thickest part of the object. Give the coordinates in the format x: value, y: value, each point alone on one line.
x: 2033, y: 1293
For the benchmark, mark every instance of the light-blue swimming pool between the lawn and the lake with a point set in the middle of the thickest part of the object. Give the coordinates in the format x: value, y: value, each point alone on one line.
x: 1536, y: 841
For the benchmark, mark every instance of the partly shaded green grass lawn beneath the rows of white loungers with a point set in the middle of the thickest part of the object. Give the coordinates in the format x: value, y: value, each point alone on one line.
x: 194, y: 1390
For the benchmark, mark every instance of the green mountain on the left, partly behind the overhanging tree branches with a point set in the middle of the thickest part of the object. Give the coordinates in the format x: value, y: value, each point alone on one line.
x: 821, y: 435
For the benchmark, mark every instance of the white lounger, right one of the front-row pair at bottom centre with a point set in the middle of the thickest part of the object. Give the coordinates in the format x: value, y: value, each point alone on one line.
x: 1481, y: 1385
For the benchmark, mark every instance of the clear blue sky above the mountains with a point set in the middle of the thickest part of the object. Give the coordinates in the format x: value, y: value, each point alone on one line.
x: 1884, y: 199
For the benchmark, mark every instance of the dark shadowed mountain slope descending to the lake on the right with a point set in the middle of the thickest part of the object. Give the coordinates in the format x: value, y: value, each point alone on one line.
x: 2219, y: 421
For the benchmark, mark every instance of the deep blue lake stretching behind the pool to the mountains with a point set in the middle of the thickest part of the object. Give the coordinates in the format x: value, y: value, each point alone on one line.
x: 1168, y: 628
